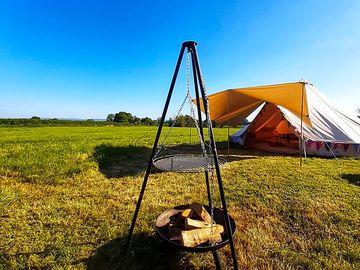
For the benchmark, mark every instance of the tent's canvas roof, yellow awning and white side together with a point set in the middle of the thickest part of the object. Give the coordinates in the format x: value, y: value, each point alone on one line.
x: 328, y: 123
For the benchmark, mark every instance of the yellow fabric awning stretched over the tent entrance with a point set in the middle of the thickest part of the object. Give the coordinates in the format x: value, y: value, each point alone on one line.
x: 234, y: 105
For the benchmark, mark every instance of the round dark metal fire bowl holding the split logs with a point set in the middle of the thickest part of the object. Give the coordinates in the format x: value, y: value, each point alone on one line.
x: 163, y: 232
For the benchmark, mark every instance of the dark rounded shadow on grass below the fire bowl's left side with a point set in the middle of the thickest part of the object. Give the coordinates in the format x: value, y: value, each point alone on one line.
x: 146, y: 252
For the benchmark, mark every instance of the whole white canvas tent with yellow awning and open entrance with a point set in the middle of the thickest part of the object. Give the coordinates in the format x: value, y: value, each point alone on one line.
x: 291, y: 113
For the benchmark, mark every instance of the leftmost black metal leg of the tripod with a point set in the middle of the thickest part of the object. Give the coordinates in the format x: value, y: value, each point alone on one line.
x: 154, y: 148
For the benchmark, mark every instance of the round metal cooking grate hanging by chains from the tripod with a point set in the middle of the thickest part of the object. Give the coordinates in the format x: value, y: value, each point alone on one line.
x: 185, y: 163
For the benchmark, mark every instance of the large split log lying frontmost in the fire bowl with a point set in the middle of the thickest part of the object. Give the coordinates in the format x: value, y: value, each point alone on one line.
x: 196, y: 237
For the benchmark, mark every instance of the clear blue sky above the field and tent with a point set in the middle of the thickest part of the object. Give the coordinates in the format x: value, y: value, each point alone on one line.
x: 86, y: 59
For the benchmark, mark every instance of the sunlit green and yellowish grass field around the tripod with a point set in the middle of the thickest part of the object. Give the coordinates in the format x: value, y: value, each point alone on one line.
x: 67, y: 196
